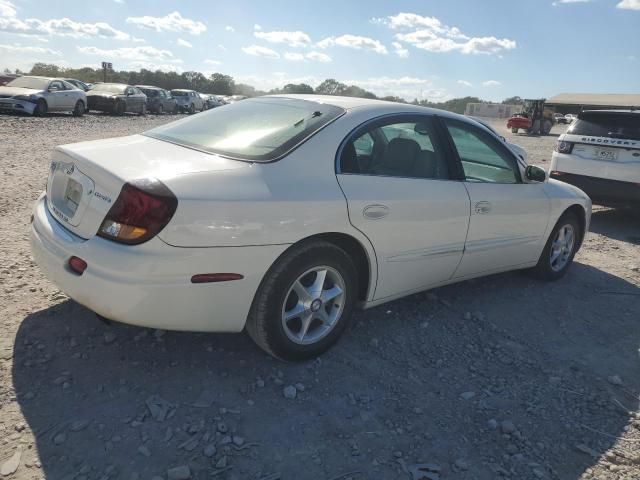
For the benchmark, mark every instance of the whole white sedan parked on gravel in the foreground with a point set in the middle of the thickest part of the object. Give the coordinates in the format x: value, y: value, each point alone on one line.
x: 281, y: 214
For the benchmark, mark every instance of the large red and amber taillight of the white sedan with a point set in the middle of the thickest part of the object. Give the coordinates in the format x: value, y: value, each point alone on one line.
x: 141, y: 211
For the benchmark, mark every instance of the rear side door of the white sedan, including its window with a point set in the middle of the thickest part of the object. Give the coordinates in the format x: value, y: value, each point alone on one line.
x: 400, y: 193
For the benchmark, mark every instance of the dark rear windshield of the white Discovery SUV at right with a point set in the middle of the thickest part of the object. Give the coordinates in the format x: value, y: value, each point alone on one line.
x: 613, y: 125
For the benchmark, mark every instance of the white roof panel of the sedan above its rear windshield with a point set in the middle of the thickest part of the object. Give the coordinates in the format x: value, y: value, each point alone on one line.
x: 349, y: 103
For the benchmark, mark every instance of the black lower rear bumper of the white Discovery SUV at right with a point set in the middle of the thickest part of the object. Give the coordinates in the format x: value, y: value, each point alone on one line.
x: 602, y: 191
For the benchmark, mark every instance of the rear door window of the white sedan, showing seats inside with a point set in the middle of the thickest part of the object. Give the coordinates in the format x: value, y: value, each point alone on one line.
x: 396, y: 149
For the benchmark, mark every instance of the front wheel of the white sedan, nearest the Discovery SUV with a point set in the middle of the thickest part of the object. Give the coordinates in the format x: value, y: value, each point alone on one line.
x: 561, y: 247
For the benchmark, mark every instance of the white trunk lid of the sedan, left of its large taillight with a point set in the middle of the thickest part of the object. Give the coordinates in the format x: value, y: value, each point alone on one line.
x: 86, y: 178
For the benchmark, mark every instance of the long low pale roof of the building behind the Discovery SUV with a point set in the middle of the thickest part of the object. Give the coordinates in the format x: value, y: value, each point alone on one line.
x: 576, y: 102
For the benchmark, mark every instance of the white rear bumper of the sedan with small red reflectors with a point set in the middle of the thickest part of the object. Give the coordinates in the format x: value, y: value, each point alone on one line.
x: 150, y: 284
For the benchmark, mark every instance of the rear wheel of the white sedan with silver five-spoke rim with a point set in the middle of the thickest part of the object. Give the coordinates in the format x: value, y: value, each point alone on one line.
x: 304, y: 303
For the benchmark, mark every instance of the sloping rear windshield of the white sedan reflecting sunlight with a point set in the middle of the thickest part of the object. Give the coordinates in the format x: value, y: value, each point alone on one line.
x: 260, y: 129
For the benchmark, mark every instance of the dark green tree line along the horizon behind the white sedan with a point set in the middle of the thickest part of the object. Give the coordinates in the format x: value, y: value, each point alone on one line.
x: 221, y: 84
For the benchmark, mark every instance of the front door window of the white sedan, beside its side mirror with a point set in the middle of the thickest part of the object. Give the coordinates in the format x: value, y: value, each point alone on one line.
x: 482, y: 160
